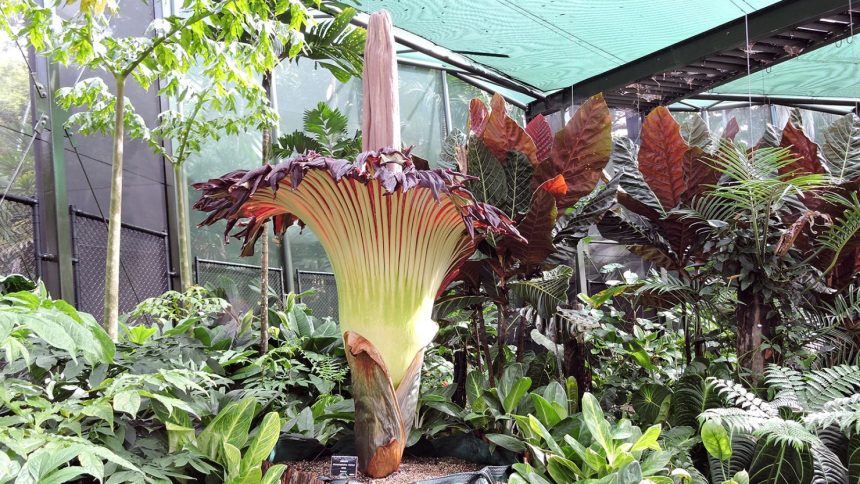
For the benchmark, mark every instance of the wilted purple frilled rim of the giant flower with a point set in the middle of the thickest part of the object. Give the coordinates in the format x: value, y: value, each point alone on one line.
x: 225, y: 197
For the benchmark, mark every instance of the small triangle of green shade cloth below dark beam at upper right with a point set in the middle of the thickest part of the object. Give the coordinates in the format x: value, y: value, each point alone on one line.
x: 831, y: 71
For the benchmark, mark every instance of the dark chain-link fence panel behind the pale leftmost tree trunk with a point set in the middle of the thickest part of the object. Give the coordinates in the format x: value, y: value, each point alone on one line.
x: 144, y: 270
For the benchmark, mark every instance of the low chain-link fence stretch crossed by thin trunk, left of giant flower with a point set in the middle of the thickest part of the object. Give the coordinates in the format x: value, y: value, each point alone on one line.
x: 238, y: 283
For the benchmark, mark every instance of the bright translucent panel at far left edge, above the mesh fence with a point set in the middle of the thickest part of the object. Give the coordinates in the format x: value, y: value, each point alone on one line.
x: 15, y: 121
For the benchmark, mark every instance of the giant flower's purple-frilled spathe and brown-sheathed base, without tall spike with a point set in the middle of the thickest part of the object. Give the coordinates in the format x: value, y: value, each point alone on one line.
x: 394, y: 234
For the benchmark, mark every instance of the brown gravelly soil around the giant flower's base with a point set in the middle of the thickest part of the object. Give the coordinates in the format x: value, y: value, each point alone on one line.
x: 411, y: 469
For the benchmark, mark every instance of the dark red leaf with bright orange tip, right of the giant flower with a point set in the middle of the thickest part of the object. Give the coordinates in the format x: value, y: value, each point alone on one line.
x: 537, y: 225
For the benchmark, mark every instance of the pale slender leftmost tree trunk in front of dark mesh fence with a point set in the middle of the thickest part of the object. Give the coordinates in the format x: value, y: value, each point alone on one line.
x: 112, y: 262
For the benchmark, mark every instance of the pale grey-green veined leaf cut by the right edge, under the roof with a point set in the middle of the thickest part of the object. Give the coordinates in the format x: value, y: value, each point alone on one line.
x: 841, y: 148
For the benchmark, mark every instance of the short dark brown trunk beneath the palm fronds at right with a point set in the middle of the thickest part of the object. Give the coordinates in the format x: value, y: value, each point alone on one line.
x: 754, y: 328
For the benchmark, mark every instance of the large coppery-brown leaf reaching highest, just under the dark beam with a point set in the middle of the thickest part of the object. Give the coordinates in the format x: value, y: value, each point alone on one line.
x: 580, y: 151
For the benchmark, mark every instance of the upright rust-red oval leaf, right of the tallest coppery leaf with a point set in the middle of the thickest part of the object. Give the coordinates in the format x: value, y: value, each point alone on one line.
x: 661, y: 157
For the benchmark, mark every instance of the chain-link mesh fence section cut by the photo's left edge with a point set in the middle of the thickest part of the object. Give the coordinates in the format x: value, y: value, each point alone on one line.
x: 19, y: 253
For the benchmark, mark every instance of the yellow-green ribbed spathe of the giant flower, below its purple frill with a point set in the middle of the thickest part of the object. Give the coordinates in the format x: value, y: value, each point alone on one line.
x: 390, y: 253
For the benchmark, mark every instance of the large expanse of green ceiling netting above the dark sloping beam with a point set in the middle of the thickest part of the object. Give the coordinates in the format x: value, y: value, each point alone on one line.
x: 551, y: 44
